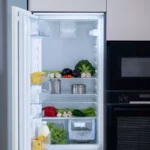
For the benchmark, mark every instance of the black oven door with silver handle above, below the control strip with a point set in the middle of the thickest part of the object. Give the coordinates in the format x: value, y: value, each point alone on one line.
x: 128, y: 127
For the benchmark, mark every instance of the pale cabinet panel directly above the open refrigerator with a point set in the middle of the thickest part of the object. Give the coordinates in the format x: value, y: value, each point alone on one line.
x: 68, y: 5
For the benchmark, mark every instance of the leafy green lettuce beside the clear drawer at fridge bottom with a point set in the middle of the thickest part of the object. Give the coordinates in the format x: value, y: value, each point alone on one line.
x: 58, y: 136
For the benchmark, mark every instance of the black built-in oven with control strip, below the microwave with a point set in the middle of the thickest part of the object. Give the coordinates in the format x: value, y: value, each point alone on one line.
x: 128, y: 121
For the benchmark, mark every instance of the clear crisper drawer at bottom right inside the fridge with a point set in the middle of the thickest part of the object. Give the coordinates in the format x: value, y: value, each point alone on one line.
x: 82, y: 131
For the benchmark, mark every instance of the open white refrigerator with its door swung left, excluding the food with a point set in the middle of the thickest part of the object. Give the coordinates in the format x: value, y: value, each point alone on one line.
x: 54, y: 41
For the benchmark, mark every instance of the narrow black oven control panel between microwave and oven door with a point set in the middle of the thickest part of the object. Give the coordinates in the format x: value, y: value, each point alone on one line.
x: 128, y: 97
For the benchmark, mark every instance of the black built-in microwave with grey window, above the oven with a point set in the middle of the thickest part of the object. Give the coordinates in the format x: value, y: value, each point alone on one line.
x: 128, y: 65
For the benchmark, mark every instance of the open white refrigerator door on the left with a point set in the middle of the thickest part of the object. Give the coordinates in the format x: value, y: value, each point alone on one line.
x: 21, y: 69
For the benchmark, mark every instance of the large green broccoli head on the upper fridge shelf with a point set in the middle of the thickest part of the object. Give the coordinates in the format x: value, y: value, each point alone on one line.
x: 85, y: 66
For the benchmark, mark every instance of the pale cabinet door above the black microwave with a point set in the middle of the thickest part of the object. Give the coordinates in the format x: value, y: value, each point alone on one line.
x: 128, y: 20
